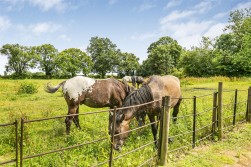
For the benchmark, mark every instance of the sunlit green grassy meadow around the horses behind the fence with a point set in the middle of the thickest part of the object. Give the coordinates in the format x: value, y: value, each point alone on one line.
x: 49, y: 135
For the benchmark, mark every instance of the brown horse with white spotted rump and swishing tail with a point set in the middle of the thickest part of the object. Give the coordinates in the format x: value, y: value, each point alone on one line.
x: 93, y: 93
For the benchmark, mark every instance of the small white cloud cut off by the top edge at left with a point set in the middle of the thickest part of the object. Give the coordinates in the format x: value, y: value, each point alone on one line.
x: 45, y: 5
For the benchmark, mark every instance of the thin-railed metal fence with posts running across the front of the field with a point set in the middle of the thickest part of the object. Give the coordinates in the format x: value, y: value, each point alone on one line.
x: 216, y: 121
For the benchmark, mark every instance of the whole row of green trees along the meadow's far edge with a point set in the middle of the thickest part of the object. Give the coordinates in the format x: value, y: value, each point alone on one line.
x: 226, y: 55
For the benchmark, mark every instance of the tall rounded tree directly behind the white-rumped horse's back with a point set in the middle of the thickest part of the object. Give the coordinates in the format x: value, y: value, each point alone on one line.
x: 104, y: 55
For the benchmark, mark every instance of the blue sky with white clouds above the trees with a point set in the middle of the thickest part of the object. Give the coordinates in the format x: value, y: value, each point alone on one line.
x: 130, y: 24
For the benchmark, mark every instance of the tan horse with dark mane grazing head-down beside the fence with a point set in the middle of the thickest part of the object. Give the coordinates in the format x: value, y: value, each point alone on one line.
x: 154, y: 89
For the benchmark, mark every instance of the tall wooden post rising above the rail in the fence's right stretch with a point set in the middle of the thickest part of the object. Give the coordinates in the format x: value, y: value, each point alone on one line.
x: 219, y: 111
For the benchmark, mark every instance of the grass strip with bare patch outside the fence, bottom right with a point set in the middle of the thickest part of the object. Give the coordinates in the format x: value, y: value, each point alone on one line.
x: 233, y: 150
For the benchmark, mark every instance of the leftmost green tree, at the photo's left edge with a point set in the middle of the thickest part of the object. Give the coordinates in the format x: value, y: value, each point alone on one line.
x: 20, y: 58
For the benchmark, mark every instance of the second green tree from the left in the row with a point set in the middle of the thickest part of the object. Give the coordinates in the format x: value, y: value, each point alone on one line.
x: 47, y: 58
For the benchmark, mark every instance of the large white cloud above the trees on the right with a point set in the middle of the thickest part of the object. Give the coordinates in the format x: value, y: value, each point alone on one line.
x: 187, y: 27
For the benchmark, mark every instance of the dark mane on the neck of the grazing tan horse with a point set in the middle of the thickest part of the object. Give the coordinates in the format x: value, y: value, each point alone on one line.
x: 140, y: 96
